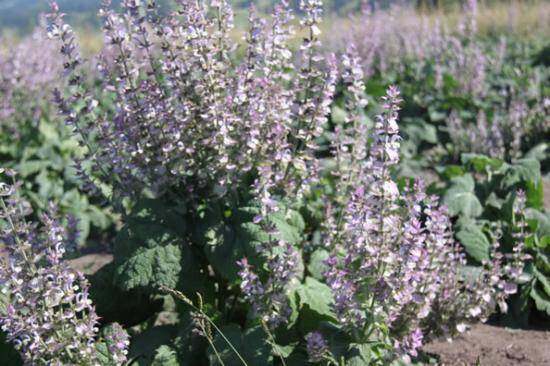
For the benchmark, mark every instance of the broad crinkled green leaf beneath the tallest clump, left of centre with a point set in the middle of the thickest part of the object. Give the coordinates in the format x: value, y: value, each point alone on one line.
x: 150, y: 267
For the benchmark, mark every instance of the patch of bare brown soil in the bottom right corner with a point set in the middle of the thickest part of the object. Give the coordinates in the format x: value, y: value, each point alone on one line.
x: 494, y: 346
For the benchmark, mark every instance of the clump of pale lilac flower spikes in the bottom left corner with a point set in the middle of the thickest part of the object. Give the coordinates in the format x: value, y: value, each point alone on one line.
x: 49, y: 317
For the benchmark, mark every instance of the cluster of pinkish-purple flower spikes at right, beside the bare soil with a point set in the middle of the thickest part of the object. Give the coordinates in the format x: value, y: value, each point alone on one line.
x: 394, y: 260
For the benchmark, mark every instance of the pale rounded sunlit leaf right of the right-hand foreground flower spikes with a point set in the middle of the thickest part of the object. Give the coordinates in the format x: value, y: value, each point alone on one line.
x: 461, y: 199
